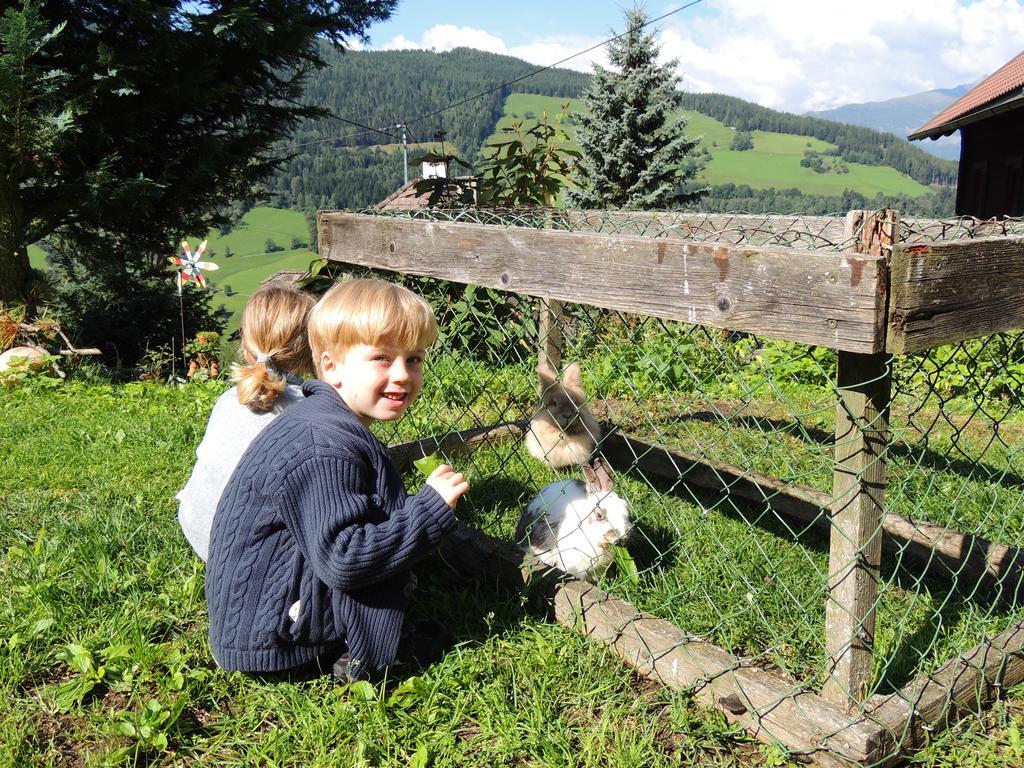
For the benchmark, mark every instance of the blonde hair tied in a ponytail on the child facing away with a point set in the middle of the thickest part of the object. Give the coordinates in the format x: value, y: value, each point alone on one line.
x: 275, y: 344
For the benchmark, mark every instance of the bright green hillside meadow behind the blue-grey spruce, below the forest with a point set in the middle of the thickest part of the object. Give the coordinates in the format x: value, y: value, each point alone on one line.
x: 775, y: 161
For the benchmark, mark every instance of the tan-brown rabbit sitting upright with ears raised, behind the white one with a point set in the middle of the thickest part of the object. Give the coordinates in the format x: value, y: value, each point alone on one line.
x: 564, y: 433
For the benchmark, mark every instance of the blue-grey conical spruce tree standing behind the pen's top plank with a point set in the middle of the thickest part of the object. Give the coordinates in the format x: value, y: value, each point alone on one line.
x: 633, y: 147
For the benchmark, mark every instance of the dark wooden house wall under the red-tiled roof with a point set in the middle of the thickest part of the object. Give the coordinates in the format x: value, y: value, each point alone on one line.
x: 992, y: 182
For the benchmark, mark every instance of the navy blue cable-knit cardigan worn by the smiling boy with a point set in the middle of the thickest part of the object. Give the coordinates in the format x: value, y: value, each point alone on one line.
x: 316, y: 514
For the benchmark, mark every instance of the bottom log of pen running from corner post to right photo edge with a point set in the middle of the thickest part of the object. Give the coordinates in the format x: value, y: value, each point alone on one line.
x: 962, y: 686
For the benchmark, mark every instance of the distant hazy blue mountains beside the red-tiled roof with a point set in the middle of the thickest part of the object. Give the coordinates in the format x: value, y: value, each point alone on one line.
x: 905, y: 115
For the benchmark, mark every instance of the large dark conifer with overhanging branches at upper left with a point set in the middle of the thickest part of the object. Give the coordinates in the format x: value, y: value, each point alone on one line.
x: 143, y: 120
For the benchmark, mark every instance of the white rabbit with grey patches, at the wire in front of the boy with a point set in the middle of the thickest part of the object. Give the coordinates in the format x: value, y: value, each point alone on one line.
x: 574, y: 527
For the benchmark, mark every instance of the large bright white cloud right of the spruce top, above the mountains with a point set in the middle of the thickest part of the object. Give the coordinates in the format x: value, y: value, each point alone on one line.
x: 815, y: 55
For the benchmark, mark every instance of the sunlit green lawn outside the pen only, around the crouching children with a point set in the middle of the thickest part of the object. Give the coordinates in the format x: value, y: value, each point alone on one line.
x: 95, y: 561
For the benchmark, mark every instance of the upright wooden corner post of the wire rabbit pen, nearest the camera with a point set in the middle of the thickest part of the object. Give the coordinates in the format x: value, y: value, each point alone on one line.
x: 859, y: 494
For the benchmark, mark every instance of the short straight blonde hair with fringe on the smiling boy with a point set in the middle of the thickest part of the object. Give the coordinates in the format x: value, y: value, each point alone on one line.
x: 373, y: 313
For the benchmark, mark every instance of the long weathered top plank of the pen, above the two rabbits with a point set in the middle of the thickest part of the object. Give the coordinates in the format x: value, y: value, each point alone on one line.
x: 816, y: 297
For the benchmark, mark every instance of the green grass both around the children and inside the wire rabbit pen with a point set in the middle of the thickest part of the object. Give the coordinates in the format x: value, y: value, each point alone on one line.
x: 104, y: 657
